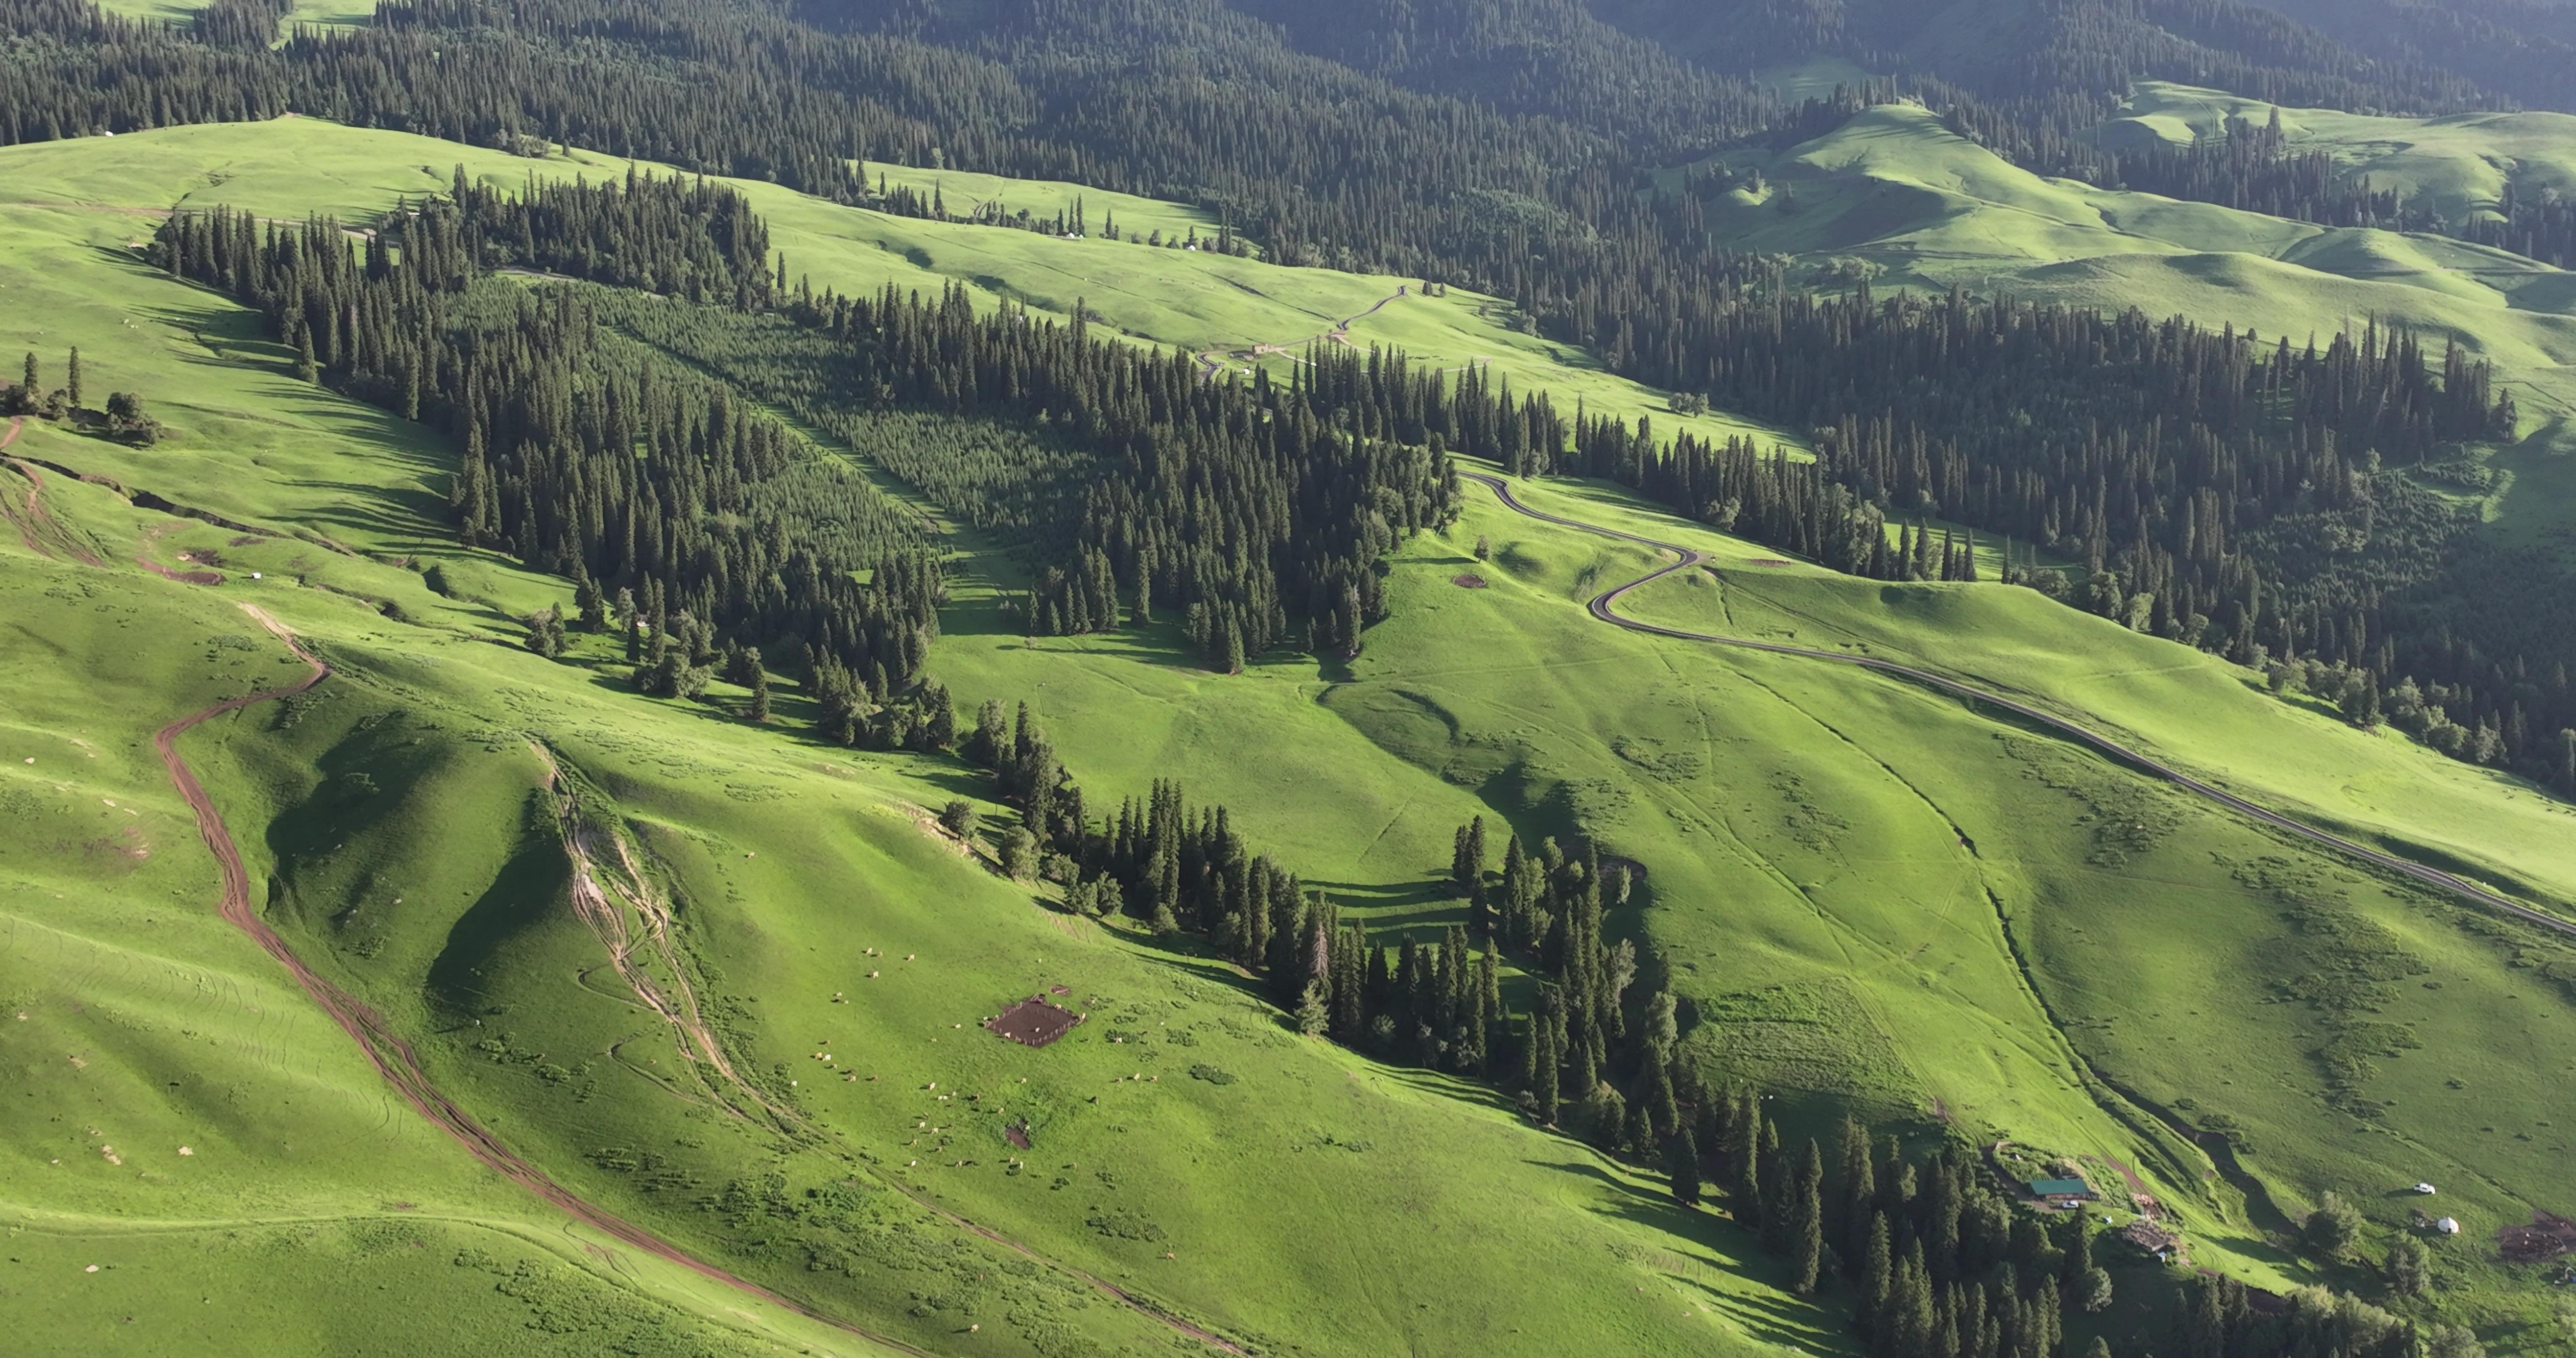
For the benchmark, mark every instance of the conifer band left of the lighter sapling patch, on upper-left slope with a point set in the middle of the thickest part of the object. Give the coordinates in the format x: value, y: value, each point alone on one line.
x: 581, y: 455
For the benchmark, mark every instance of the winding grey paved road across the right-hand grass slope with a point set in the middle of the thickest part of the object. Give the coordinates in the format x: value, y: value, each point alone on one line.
x: 2387, y: 862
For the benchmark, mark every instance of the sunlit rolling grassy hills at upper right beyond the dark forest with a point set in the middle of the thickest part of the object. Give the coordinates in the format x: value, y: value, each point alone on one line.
x: 1900, y: 192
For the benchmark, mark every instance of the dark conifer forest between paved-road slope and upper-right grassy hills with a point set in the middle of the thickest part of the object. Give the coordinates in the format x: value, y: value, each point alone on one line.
x: 2240, y: 496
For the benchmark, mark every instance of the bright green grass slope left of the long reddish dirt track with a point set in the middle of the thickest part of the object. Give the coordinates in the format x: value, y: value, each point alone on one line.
x: 194, y: 1156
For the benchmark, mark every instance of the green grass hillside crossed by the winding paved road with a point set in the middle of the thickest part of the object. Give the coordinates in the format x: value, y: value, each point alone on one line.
x: 1846, y: 872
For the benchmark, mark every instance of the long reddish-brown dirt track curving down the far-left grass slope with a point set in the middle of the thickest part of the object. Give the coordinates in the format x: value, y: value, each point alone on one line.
x: 375, y: 1037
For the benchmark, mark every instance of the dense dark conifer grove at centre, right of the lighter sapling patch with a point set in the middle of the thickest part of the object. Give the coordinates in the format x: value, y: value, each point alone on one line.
x: 1238, y: 509
